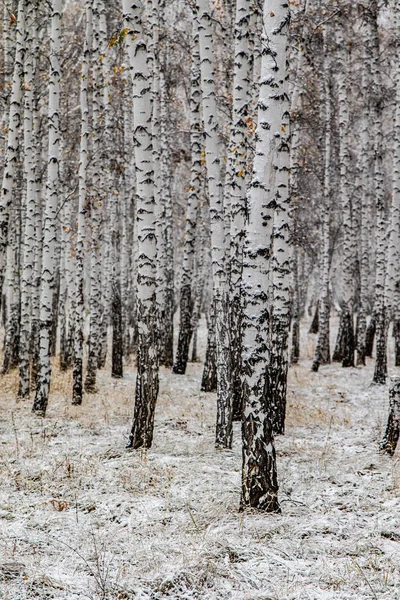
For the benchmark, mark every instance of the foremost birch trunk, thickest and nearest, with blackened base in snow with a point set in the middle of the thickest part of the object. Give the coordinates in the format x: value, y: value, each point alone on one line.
x: 259, y: 474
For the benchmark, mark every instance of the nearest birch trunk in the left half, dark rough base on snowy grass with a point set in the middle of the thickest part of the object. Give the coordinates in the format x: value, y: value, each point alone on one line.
x: 147, y: 359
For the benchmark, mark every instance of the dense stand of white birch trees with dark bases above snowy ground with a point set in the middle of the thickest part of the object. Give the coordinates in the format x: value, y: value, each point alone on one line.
x: 234, y: 158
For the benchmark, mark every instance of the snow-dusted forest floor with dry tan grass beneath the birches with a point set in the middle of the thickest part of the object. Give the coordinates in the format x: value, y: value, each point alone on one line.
x: 81, y: 517
